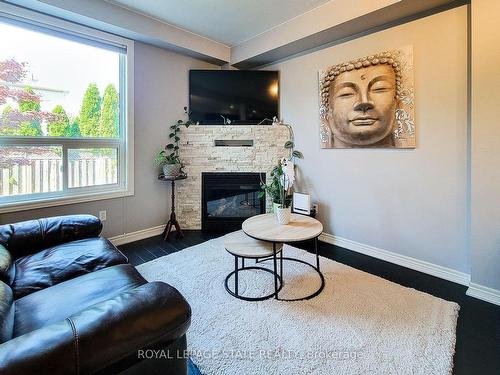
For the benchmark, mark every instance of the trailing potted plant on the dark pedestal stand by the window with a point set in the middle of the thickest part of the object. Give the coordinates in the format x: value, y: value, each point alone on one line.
x: 168, y: 158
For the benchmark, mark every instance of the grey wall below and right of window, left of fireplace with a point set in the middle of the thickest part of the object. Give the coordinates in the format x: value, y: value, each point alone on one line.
x: 161, y: 92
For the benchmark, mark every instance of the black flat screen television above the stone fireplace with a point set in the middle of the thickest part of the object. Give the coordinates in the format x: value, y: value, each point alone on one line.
x: 236, y: 97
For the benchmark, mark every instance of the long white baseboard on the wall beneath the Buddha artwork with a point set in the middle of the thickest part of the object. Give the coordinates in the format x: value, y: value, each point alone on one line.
x: 401, y: 260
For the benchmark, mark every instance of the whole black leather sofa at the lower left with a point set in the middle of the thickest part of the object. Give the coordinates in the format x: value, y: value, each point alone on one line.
x: 71, y: 304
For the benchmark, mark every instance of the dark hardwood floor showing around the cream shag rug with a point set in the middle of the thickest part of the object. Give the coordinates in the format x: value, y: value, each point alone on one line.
x: 478, y: 332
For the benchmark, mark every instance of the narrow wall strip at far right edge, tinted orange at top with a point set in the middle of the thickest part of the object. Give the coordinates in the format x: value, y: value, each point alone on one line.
x: 485, y: 153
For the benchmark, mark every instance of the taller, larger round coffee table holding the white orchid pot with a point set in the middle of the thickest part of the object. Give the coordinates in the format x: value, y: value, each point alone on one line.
x: 301, y: 228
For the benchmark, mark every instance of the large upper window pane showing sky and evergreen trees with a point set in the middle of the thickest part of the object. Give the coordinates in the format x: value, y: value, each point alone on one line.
x: 50, y: 86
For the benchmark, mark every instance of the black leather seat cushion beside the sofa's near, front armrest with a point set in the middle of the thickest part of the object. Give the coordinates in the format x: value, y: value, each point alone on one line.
x: 60, y: 301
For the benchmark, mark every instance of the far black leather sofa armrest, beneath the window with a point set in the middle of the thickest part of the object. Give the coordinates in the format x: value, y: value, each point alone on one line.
x: 28, y: 237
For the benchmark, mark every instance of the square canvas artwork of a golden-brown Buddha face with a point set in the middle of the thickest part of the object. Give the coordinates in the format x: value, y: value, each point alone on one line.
x: 368, y: 102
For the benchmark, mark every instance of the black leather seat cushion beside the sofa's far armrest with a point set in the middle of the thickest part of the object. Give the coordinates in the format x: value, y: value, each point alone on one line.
x: 62, y: 262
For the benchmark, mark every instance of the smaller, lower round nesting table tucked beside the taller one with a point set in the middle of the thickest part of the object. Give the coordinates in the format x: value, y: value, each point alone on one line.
x: 243, y: 247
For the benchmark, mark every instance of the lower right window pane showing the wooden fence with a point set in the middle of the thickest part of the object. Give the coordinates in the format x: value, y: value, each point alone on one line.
x: 92, y: 166
